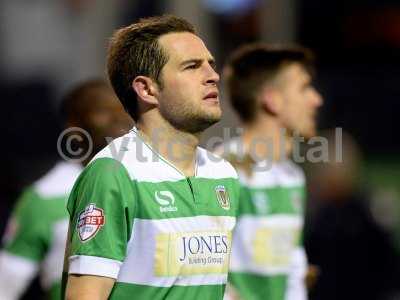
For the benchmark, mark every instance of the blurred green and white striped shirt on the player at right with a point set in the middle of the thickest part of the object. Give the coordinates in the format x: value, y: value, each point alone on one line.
x: 268, y: 260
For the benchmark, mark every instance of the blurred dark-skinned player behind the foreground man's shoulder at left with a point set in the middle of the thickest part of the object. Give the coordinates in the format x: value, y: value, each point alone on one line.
x: 35, y: 239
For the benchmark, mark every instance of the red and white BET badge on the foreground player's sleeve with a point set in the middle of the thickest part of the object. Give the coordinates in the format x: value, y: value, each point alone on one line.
x: 89, y: 222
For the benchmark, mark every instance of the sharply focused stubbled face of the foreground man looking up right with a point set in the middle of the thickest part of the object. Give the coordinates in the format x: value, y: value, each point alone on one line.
x: 189, y: 98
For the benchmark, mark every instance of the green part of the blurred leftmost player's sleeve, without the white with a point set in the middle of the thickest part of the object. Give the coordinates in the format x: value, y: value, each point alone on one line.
x: 28, y: 232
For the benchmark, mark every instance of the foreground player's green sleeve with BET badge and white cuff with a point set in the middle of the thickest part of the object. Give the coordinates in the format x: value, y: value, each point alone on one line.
x: 101, y: 207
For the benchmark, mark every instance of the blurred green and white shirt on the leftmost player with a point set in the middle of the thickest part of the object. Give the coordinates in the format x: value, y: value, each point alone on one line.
x: 36, y: 234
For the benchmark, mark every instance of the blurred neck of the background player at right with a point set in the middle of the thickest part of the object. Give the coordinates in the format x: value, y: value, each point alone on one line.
x: 266, y: 139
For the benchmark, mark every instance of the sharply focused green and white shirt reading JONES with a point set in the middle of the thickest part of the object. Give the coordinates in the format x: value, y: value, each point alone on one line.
x: 160, y: 234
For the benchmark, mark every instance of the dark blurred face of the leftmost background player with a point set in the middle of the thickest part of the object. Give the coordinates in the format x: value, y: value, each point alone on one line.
x: 103, y: 116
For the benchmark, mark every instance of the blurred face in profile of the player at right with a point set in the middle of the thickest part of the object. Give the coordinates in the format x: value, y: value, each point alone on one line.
x: 300, y: 101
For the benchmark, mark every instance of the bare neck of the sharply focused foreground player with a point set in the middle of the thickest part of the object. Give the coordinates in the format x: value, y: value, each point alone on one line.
x: 177, y: 147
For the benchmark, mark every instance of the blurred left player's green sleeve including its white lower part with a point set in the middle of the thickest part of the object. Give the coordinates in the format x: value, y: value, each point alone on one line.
x: 25, y: 243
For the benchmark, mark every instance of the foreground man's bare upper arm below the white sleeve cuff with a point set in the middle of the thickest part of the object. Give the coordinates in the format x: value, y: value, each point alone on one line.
x: 84, y: 287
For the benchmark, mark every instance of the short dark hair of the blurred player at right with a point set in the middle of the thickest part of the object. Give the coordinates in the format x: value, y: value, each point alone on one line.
x: 252, y: 65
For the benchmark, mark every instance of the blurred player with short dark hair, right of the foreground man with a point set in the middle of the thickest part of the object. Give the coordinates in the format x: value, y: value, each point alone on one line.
x: 270, y: 89
